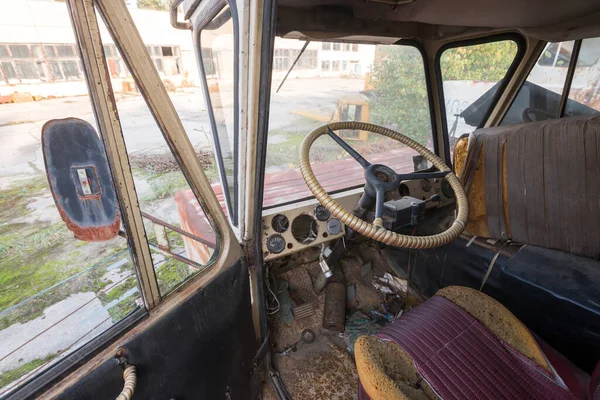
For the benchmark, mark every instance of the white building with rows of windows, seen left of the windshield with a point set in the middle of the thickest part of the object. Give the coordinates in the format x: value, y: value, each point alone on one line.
x: 38, y: 54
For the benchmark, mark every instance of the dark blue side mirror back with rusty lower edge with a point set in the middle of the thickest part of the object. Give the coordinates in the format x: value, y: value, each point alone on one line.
x: 80, y: 179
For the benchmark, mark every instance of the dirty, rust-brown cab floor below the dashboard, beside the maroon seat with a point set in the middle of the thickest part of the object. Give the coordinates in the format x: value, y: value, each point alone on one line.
x: 324, y: 369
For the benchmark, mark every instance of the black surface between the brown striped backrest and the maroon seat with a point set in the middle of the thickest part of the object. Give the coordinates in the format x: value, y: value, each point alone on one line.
x: 555, y: 294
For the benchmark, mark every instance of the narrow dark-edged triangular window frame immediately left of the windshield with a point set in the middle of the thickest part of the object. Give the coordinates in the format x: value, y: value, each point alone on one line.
x: 232, y: 208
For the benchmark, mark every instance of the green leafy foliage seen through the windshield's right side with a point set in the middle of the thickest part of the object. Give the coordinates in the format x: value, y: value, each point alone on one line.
x: 400, y: 100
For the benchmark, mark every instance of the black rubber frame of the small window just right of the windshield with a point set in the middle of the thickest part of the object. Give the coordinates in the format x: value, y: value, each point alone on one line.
x: 503, y: 83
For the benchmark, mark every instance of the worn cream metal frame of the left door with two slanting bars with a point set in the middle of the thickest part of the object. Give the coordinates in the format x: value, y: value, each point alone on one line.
x: 229, y: 252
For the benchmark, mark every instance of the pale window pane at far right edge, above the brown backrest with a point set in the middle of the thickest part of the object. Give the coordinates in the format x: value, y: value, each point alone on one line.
x: 584, y: 95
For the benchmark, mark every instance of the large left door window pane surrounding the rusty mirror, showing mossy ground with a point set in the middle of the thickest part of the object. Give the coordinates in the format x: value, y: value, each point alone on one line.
x: 57, y: 293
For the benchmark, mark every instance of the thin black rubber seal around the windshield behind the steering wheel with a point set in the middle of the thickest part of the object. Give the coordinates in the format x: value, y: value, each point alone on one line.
x: 428, y: 84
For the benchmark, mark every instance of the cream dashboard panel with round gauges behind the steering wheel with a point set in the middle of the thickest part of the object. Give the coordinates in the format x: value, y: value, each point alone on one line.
x: 294, y: 227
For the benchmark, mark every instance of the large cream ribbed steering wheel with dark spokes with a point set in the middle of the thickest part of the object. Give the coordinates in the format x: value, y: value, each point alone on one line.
x: 379, y: 180
